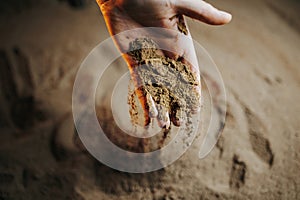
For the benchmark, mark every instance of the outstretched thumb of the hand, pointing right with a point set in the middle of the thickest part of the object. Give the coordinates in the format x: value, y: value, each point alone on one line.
x: 202, y: 11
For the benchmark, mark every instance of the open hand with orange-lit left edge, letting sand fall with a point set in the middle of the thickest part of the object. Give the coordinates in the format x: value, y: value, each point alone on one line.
x: 122, y: 15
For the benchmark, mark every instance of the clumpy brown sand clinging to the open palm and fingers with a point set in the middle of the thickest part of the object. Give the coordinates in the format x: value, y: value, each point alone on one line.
x: 169, y: 82
